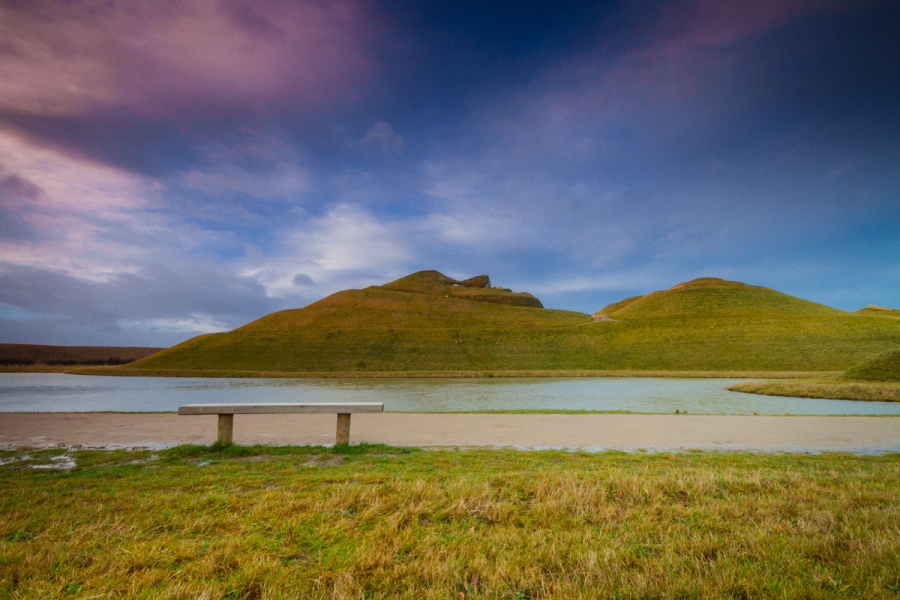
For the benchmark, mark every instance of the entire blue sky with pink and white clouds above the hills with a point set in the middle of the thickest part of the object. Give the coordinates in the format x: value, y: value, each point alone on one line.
x: 171, y: 168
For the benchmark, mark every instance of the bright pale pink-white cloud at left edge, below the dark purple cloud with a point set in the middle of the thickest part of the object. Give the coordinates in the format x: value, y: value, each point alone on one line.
x: 73, y: 214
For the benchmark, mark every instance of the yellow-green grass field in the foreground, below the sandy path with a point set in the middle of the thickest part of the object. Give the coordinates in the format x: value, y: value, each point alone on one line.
x: 381, y: 522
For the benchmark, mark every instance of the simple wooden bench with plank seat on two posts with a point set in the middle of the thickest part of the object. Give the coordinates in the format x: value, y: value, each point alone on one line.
x: 226, y: 414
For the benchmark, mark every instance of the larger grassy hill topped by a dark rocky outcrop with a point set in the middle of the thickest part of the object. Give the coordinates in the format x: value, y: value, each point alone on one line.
x: 424, y: 322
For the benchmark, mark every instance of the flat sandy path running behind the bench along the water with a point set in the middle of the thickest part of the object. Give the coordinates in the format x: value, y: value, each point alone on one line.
x: 594, y: 432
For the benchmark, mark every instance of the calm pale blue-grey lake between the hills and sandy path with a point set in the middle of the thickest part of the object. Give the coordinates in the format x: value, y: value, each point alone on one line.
x: 54, y: 392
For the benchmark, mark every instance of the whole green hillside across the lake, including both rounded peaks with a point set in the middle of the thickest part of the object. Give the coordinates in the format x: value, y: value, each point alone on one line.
x: 427, y: 322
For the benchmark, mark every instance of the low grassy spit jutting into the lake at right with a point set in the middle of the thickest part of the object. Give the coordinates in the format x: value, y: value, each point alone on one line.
x: 830, y: 389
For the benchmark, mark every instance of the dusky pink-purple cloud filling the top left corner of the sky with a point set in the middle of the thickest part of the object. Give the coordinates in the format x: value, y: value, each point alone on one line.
x: 154, y: 55
